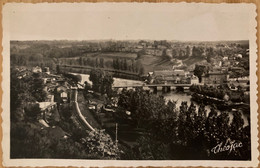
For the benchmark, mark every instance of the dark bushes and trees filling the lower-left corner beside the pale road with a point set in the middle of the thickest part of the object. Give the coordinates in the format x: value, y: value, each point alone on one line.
x: 67, y: 139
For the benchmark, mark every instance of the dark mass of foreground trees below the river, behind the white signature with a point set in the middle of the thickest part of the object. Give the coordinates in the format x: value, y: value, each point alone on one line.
x: 182, y: 133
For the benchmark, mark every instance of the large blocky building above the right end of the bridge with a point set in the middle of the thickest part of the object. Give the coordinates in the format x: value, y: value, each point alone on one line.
x: 215, y: 77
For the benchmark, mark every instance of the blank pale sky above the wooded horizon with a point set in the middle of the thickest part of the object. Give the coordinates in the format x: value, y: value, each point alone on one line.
x: 127, y: 21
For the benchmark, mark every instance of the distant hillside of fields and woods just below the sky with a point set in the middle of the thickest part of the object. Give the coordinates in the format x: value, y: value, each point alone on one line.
x: 132, y: 56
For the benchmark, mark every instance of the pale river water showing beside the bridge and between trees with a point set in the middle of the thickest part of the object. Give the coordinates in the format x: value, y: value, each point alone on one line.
x: 173, y: 95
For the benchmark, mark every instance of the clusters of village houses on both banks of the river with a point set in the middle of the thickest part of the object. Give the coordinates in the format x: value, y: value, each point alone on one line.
x: 59, y: 90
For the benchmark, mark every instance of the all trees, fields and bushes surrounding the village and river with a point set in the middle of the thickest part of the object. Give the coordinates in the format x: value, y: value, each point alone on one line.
x: 167, y: 131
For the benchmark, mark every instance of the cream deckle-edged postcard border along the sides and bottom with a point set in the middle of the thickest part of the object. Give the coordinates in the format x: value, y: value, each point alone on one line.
x: 101, y: 163
